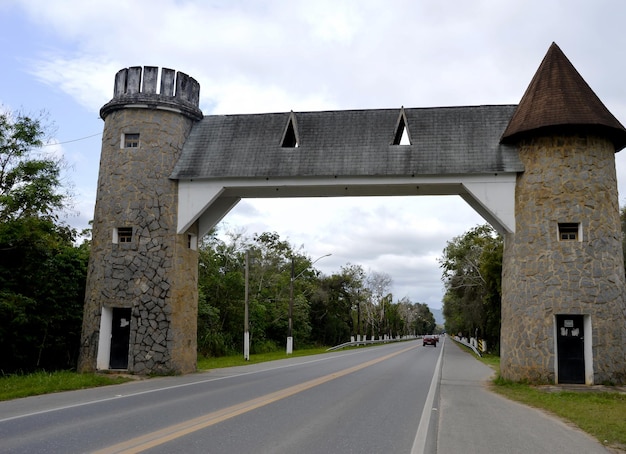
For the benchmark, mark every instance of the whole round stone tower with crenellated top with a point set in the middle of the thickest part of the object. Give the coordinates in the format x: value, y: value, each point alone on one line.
x: 141, y: 299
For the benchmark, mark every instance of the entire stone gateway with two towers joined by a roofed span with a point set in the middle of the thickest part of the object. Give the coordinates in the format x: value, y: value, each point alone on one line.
x: 182, y: 172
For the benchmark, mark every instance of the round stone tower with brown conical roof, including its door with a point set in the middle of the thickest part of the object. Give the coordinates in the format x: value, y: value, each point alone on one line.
x: 563, y: 287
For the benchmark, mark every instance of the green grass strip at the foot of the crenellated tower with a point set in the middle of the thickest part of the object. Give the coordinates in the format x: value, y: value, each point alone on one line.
x: 16, y: 386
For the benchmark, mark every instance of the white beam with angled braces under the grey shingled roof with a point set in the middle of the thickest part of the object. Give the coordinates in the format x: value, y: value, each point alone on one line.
x: 208, y: 201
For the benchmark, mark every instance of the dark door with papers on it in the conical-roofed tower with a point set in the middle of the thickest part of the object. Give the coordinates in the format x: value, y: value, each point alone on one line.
x: 571, y: 348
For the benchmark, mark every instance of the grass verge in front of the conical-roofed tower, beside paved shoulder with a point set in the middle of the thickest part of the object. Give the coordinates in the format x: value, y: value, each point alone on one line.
x: 601, y: 414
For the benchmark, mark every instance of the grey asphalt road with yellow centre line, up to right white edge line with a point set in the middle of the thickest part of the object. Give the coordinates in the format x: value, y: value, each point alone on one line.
x: 369, y: 400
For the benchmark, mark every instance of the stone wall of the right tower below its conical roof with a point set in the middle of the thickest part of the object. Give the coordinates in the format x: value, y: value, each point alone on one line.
x: 567, y: 179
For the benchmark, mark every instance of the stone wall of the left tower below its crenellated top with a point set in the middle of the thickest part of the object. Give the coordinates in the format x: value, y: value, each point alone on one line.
x: 156, y: 274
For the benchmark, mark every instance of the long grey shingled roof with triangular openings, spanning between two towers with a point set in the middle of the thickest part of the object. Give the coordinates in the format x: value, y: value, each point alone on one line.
x: 446, y: 140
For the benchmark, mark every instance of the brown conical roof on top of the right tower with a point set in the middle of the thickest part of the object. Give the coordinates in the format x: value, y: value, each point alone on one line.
x: 559, y: 99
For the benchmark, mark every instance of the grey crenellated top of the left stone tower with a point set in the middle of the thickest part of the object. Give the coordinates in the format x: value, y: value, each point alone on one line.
x: 136, y: 88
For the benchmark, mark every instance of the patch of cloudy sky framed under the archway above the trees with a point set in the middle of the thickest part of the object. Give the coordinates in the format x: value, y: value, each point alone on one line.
x: 402, y: 236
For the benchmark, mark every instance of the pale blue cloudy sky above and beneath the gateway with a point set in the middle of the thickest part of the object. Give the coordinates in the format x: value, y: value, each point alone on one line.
x: 255, y: 56
